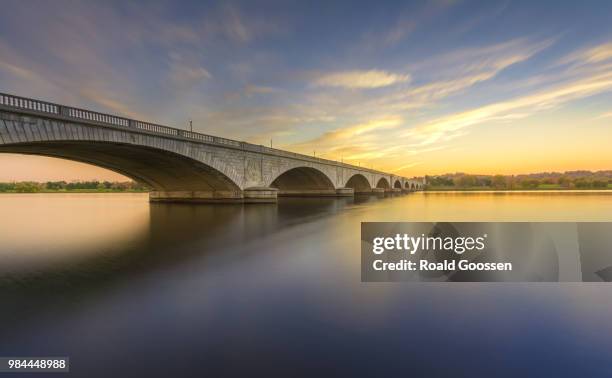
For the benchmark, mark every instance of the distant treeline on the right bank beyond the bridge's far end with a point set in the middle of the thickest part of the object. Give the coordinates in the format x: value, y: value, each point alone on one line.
x: 535, y: 181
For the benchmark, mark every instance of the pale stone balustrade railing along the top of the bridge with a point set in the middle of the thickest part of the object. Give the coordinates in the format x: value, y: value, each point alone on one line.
x: 38, y: 106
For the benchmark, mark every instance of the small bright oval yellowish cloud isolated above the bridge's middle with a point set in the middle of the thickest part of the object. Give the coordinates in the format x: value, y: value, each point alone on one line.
x: 361, y: 79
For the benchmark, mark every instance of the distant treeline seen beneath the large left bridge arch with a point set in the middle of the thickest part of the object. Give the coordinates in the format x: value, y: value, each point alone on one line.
x: 76, y: 186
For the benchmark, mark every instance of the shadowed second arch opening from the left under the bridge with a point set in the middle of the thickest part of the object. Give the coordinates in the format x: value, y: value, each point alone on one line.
x: 303, y: 181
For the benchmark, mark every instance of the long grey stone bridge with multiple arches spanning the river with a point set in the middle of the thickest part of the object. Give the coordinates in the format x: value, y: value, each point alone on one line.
x: 181, y: 165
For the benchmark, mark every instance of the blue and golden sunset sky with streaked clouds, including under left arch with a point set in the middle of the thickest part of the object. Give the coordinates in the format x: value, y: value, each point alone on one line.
x: 416, y: 88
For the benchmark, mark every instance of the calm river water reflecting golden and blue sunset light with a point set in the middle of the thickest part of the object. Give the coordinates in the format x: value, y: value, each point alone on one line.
x: 124, y: 288
